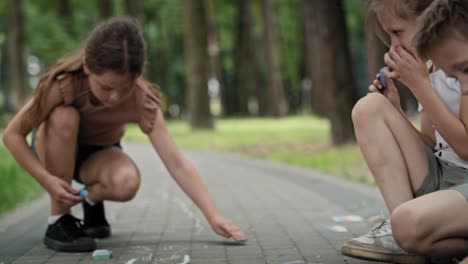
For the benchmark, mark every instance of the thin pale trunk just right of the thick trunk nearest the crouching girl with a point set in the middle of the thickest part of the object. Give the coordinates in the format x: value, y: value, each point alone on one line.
x: 213, y: 47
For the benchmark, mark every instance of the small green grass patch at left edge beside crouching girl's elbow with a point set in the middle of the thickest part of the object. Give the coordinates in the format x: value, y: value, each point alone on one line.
x: 16, y: 185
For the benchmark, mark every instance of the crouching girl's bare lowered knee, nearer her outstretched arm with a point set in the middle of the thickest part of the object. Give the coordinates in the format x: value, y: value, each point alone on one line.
x: 110, y: 175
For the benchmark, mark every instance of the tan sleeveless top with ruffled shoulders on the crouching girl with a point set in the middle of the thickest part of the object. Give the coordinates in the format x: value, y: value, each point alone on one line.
x: 103, y: 125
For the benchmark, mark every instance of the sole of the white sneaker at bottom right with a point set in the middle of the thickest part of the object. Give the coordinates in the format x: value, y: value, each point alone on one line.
x: 360, y: 253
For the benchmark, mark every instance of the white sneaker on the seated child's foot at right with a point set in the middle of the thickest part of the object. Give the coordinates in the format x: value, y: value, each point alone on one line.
x: 379, y: 245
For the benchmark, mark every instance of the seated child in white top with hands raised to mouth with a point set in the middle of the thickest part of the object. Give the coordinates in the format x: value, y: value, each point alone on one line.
x: 422, y: 175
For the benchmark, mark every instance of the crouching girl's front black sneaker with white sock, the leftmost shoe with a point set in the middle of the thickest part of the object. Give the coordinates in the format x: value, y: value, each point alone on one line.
x: 67, y: 235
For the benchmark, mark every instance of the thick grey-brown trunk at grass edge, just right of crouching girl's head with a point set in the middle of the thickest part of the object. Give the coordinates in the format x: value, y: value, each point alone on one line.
x: 195, y: 30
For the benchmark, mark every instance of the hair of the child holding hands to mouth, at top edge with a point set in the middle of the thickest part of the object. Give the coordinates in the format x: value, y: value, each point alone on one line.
x: 405, y: 9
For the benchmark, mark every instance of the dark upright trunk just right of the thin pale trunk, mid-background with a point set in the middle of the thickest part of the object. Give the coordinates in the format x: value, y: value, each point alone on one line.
x: 243, y: 66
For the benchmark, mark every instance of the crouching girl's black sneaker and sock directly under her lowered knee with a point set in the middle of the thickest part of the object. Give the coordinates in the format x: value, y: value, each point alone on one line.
x: 96, y: 225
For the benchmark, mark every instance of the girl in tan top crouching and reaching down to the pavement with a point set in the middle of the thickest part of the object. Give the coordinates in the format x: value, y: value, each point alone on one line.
x: 78, y: 116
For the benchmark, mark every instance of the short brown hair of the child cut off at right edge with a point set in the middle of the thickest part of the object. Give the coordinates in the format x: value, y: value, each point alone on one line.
x: 441, y: 18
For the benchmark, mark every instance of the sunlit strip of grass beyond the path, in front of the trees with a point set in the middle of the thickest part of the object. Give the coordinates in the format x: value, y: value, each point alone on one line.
x: 301, y: 141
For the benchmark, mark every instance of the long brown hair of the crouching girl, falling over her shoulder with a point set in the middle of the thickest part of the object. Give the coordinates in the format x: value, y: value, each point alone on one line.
x: 115, y: 45
